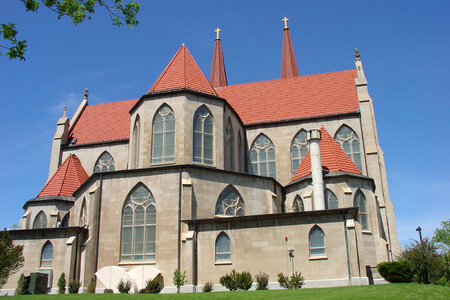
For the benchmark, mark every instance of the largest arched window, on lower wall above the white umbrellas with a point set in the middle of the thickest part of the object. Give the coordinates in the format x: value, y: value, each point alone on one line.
x: 139, y: 226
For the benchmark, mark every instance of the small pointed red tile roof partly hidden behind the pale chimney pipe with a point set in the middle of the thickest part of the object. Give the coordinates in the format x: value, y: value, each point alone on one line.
x: 333, y: 158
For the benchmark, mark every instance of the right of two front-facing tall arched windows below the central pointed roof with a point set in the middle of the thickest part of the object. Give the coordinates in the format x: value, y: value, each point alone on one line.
x: 203, y: 136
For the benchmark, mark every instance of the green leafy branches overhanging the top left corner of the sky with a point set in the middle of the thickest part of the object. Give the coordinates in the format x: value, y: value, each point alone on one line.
x: 120, y: 11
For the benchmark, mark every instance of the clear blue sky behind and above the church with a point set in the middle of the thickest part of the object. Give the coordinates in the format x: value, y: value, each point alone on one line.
x: 404, y: 48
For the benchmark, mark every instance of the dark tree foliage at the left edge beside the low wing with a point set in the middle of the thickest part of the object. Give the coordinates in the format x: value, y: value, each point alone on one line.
x: 11, y: 258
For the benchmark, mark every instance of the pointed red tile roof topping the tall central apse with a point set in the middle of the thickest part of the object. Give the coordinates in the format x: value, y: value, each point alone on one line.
x: 182, y: 72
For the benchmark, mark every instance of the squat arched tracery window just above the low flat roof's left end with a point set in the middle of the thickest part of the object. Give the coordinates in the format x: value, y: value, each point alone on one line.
x: 230, y: 203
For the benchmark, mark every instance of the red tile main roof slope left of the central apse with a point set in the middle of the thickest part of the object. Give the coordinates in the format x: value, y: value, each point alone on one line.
x: 103, y: 122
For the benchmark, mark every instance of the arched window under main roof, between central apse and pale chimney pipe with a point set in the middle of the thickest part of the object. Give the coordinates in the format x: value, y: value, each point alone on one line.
x: 262, y: 157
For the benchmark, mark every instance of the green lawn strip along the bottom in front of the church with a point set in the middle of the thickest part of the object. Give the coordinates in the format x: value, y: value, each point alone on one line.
x: 388, y: 291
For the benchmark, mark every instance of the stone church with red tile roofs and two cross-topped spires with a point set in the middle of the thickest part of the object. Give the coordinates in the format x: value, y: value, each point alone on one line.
x: 275, y: 176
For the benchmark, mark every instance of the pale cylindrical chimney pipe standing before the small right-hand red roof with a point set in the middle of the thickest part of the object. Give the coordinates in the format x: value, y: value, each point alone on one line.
x: 316, y: 169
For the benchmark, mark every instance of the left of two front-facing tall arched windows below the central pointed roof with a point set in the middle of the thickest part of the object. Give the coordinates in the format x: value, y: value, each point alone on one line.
x: 163, y: 135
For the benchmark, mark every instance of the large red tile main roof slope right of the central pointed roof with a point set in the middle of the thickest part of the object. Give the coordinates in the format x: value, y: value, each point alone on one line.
x: 293, y: 98
